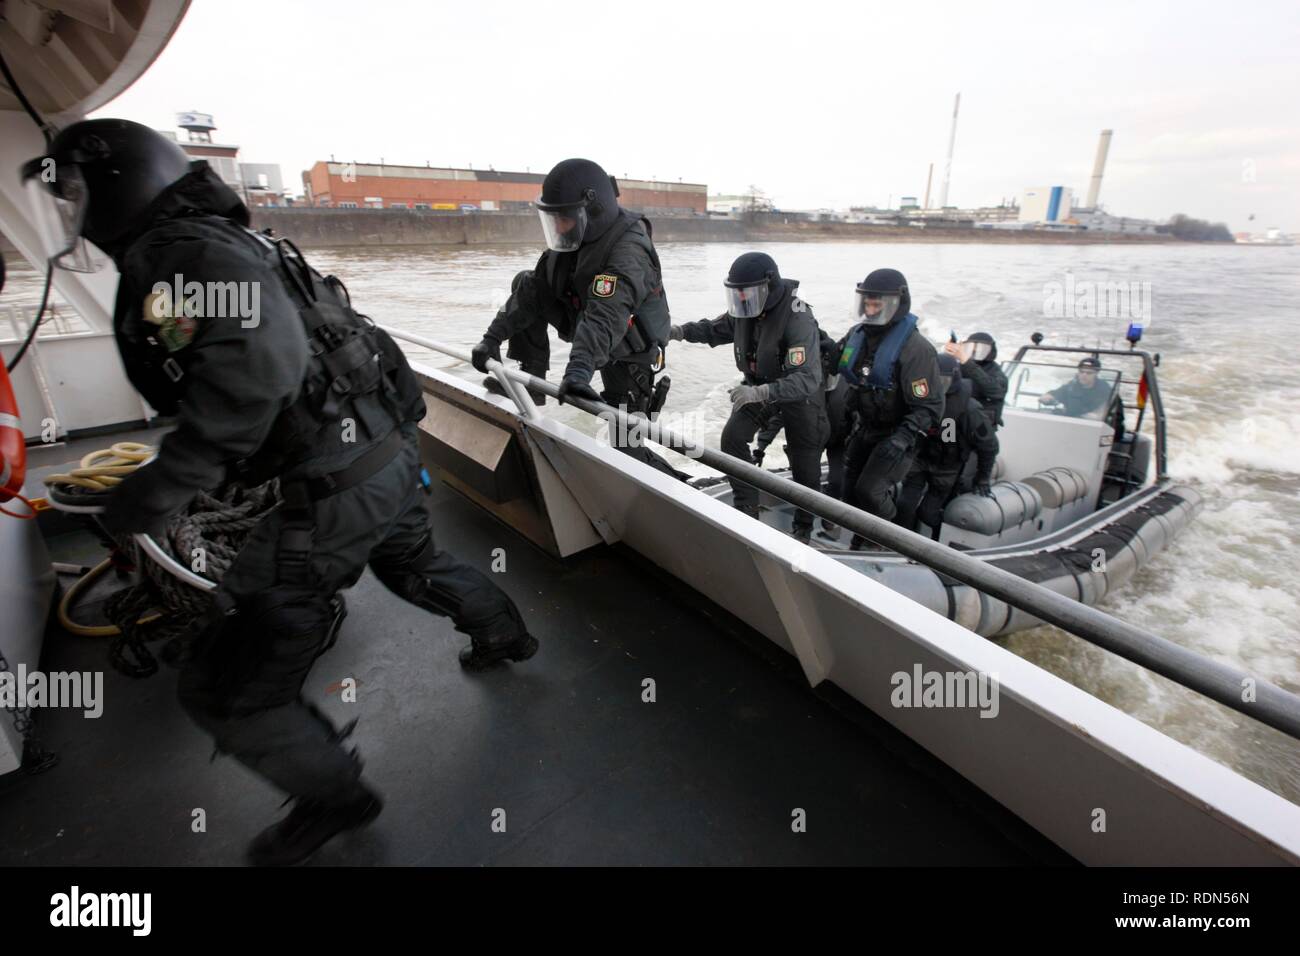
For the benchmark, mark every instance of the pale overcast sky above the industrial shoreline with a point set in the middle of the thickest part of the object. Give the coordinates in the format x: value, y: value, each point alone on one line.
x: 820, y: 105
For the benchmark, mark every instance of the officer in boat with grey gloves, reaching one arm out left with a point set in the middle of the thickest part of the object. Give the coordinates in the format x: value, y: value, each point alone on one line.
x: 775, y: 341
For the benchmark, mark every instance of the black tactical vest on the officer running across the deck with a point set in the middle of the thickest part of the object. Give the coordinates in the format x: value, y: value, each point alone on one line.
x: 356, y: 371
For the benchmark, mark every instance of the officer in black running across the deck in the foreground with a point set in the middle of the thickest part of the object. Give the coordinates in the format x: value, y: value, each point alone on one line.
x: 306, y: 391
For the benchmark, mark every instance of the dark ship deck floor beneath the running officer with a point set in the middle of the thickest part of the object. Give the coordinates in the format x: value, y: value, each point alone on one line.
x: 586, y: 771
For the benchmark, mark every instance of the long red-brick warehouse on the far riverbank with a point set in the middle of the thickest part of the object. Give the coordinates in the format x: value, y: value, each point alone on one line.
x: 365, y: 185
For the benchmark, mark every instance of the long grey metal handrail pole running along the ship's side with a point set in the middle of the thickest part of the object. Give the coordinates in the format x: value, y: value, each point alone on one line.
x: 1229, y: 686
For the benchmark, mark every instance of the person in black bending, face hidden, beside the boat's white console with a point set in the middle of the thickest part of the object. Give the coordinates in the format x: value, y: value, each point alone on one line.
x: 942, y: 456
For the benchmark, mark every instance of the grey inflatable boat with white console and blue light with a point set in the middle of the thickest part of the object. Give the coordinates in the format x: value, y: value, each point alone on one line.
x: 1081, y: 500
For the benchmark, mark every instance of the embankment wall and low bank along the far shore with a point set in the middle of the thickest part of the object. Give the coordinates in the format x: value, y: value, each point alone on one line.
x: 359, y: 228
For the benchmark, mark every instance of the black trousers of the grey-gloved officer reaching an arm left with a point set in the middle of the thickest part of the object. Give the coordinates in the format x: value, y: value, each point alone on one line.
x: 807, y: 430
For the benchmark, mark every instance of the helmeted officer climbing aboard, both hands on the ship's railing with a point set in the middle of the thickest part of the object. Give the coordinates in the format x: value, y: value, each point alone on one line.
x: 601, y: 287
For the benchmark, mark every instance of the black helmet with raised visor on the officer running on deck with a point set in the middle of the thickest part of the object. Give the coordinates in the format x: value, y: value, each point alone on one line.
x: 107, y: 174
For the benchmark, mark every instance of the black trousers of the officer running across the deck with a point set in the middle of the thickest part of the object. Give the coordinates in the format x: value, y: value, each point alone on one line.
x: 245, y: 682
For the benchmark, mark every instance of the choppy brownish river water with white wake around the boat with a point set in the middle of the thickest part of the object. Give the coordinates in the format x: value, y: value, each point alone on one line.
x: 1224, y: 321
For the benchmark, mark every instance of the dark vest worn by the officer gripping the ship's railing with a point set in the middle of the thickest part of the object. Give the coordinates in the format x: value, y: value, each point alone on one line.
x: 571, y: 275
